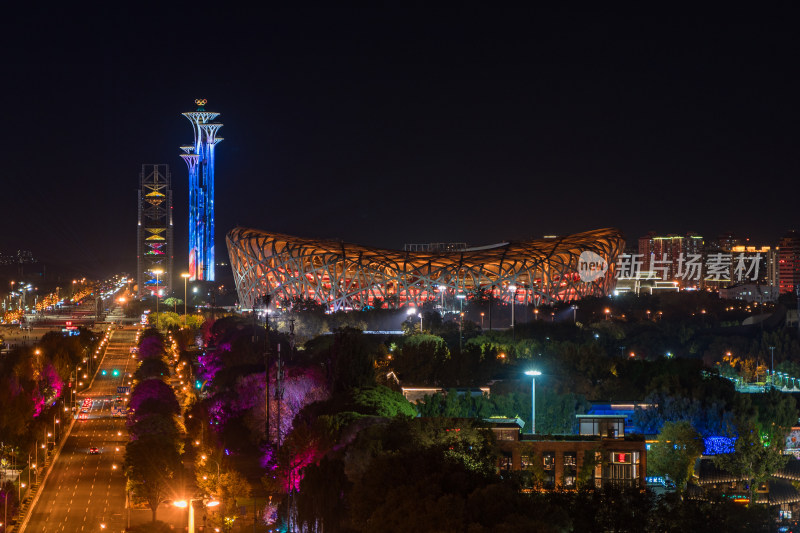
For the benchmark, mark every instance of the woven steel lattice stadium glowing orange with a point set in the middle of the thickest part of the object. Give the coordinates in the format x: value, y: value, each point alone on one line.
x: 347, y: 276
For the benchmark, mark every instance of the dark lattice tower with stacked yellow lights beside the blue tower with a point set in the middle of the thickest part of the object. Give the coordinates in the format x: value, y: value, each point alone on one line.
x: 155, y: 245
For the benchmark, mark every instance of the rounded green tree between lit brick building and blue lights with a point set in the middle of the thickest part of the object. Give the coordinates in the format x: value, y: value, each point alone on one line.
x: 674, y: 454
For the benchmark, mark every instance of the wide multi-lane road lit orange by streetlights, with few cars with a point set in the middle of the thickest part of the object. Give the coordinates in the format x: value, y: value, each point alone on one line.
x: 86, y: 491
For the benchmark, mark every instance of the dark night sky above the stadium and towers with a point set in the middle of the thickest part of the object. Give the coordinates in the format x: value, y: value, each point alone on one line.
x: 390, y: 126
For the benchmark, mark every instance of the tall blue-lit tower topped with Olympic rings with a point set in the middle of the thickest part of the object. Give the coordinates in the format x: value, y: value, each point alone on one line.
x: 199, y: 158
